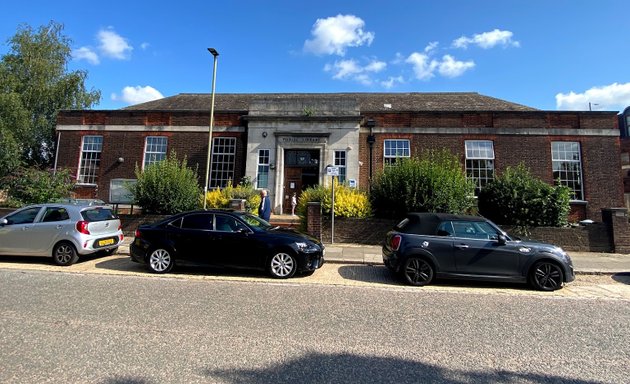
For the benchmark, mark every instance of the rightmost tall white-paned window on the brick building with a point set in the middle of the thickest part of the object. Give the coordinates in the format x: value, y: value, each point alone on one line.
x: 567, y: 166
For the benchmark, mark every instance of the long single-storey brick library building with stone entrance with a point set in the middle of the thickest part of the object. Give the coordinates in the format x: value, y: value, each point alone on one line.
x: 284, y: 142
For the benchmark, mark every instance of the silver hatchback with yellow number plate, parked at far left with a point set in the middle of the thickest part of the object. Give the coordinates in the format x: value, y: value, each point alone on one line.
x: 62, y: 231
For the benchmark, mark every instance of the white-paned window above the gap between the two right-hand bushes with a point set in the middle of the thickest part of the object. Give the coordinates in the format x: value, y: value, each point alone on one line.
x: 479, y: 162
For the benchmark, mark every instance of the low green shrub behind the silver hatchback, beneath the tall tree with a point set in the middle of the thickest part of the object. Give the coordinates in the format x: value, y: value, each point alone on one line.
x: 34, y: 186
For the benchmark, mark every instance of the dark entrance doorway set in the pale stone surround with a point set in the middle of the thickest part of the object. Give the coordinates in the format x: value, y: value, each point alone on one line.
x: 301, y: 171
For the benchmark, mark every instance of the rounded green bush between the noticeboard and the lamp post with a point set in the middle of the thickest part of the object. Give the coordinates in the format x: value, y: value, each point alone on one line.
x: 167, y: 187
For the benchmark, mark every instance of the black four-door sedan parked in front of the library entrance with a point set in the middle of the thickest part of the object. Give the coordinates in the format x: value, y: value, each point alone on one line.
x: 225, y: 238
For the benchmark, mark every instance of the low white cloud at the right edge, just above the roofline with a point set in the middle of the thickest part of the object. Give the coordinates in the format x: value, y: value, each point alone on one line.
x: 611, y: 97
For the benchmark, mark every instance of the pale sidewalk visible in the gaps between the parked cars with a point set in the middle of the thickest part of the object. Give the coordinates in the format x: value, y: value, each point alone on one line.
x: 584, y: 263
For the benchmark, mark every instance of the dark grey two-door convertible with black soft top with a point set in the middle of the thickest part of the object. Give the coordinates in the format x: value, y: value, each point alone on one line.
x: 425, y: 246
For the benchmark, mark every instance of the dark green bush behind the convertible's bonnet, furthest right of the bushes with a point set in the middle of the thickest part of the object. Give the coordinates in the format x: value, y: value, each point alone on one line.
x: 518, y: 198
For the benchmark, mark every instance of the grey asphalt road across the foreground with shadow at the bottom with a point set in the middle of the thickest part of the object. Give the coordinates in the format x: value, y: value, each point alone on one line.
x: 60, y: 327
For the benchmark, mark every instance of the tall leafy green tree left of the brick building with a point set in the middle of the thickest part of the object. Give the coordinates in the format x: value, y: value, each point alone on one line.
x: 34, y: 85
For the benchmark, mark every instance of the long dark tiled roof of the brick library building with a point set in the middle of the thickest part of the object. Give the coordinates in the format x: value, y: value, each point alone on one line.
x: 368, y: 102
